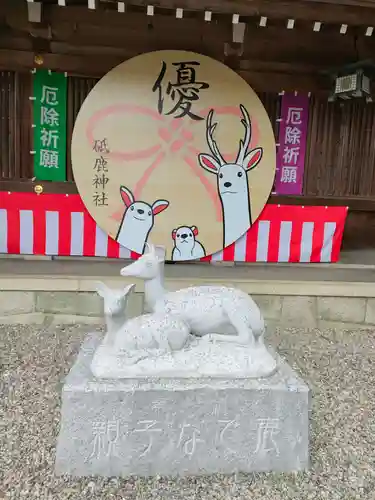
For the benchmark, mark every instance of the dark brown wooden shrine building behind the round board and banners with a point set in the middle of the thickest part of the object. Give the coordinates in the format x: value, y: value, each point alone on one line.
x: 286, y: 46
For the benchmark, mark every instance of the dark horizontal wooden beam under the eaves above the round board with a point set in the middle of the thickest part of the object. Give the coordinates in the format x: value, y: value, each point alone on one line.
x: 327, y: 48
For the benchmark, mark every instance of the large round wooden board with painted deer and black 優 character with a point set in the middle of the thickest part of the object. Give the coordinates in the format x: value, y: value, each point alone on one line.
x: 175, y: 149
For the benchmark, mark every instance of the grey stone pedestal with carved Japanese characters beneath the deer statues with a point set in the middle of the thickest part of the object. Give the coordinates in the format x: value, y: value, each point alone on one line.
x: 181, y: 426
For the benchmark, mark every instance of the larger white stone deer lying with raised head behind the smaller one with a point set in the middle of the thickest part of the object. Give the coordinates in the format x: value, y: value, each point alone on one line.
x: 217, y: 312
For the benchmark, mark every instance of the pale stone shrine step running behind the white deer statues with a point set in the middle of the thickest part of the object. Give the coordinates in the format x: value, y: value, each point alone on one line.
x: 288, y: 294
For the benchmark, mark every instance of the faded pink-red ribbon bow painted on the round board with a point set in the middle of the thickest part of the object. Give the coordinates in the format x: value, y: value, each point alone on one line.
x: 168, y: 127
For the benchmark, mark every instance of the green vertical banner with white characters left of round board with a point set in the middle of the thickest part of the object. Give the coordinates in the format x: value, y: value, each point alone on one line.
x: 50, y: 90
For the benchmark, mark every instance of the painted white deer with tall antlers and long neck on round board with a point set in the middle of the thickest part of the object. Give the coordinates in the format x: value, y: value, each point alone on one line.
x: 232, y: 181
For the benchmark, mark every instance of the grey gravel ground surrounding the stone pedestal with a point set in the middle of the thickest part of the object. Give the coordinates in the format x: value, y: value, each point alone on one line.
x: 339, y: 367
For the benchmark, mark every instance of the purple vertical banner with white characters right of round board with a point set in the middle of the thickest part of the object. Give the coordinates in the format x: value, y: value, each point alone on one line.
x: 290, y: 162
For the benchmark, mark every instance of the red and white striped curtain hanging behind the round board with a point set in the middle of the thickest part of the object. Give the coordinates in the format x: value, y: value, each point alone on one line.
x: 58, y: 224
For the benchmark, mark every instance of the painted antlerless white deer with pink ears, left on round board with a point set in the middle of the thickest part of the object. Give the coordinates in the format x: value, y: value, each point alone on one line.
x: 137, y: 221
